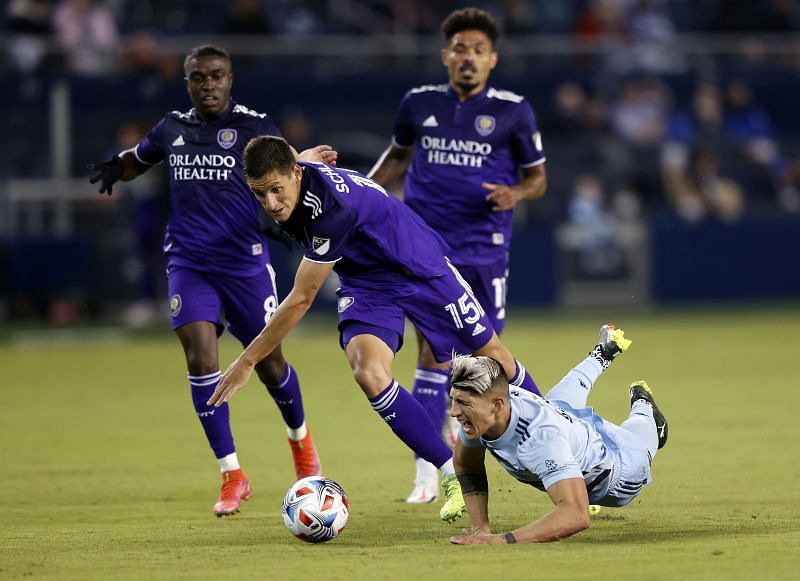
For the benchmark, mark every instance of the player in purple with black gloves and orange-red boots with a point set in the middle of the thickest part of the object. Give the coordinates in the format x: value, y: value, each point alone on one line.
x: 217, y: 256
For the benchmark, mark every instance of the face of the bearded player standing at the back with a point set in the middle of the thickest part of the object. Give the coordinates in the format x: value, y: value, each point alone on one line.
x: 469, y: 58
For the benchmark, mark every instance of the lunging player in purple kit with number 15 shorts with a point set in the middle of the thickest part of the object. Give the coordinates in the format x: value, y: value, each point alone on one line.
x: 391, y: 265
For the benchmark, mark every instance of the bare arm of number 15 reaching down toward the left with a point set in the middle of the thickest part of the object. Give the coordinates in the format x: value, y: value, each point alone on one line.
x: 308, y: 280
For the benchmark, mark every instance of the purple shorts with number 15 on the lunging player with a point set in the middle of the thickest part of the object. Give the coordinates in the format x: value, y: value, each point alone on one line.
x: 443, y: 309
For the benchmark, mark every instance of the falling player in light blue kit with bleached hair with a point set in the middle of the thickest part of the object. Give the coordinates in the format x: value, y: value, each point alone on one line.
x: 555, y: 444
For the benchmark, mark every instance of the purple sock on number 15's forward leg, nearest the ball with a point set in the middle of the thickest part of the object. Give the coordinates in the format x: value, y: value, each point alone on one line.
x: 410, y: 423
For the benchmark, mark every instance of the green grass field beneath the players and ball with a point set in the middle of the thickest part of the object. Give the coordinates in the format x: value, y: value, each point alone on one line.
x: 107, y: 475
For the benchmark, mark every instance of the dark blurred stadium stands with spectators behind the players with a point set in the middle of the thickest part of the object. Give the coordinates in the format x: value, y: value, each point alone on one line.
x: 670, y: 128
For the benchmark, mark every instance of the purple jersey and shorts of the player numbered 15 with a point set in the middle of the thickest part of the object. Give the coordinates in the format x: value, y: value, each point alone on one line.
x: 390, y: 263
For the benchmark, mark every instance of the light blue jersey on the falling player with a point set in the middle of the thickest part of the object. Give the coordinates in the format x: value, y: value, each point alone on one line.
x: 545, y: 444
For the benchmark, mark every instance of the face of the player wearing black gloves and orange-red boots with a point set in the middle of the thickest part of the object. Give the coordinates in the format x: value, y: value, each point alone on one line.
x: 209, y: 81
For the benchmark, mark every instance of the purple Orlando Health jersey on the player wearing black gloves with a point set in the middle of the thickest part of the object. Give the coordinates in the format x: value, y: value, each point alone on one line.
x: 214, y: 217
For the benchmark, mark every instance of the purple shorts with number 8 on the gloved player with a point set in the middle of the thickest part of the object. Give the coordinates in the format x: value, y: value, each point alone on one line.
x: 247, y: 302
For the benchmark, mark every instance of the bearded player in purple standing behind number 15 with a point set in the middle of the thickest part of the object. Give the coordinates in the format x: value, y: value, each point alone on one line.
x: 462, y: 147
